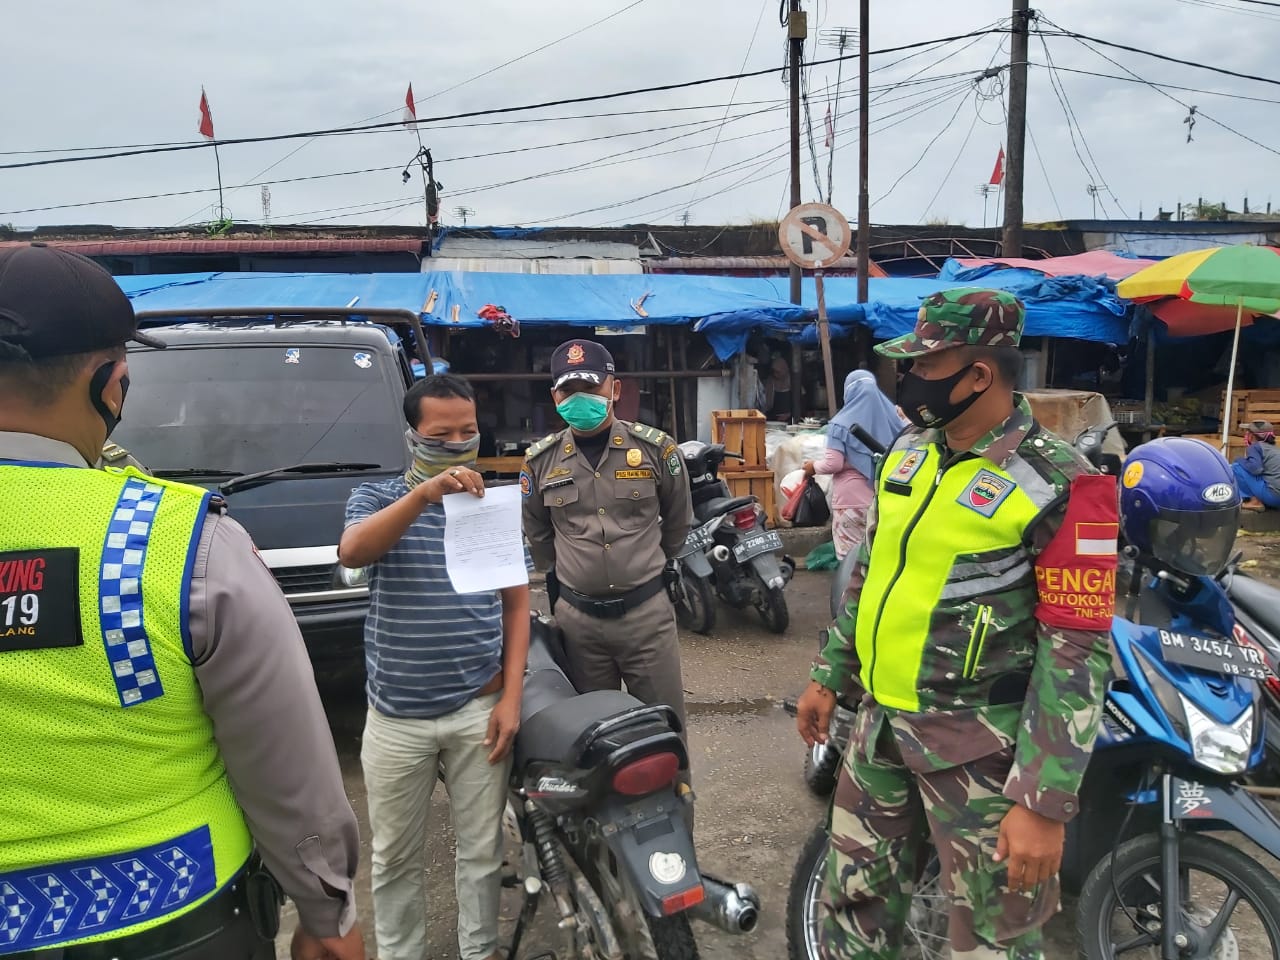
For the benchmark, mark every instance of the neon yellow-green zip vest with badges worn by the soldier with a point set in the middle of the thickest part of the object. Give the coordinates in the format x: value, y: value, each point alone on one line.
x: 950, y: 595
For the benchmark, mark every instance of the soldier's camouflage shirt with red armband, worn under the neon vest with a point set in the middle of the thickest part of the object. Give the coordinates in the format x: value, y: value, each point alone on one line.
x: 1045, y: 676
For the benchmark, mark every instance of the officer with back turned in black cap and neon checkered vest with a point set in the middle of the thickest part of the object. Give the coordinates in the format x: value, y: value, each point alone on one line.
x: 164, y: 756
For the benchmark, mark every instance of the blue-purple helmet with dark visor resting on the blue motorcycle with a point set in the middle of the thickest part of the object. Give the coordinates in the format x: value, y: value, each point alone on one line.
x: 1180, y: 505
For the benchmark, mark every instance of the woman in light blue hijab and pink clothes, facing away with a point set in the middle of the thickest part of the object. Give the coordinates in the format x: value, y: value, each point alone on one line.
x: 848, y: 460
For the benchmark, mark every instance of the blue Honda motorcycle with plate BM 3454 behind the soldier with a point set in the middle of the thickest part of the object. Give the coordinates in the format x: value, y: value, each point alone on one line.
x: 1182, y: 724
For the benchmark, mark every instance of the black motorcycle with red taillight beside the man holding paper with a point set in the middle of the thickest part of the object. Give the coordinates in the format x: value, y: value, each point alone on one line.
x: 601, y: 817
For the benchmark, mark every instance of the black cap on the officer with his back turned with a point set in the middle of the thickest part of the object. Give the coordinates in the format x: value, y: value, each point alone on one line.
x: 54, y: 304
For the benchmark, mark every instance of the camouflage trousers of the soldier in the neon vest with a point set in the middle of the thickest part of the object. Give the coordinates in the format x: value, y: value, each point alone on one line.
x: 883, y: 821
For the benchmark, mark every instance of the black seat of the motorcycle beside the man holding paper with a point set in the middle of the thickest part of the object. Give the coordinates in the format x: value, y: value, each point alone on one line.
x: 554, y: 728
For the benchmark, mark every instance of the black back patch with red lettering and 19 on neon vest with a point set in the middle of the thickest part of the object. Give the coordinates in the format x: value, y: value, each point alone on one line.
x: 40, y: 600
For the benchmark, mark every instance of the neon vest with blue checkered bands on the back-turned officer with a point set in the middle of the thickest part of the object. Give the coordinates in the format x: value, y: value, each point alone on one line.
x: 116, y: 812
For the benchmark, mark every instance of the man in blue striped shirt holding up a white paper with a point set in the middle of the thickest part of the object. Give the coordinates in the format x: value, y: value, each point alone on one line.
x: 446, y: 674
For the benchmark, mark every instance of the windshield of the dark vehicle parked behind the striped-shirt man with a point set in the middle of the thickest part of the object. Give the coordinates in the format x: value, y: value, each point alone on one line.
x: 239, y: 410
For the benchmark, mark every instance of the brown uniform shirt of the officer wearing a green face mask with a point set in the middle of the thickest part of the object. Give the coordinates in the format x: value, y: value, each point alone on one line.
x: 609, y: 528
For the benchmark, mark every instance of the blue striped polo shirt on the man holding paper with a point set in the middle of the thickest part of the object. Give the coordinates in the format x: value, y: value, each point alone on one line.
x: 428, y: 648
